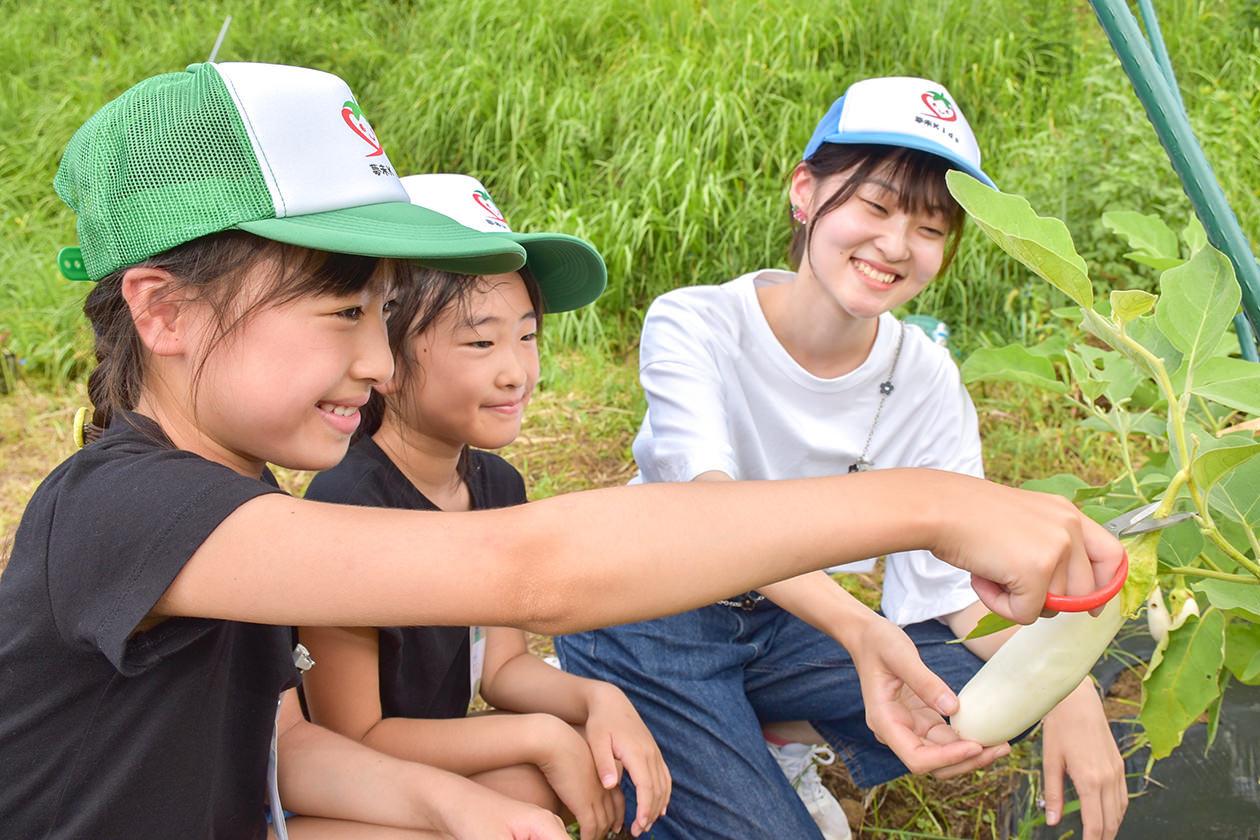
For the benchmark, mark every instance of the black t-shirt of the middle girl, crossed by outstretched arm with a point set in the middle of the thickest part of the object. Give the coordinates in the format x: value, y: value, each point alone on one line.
x: 424, y: 671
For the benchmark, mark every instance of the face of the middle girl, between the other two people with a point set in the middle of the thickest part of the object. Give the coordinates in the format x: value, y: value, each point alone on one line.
x: 474, y: 370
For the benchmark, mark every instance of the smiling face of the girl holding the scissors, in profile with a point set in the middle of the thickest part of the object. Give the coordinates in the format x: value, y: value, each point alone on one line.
x: 285, y: 383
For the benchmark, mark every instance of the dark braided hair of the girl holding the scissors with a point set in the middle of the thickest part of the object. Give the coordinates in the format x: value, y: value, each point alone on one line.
x: 214, y: 269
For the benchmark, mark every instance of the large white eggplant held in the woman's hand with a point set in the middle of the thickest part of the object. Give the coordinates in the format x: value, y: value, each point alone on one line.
x: 1033, y: 673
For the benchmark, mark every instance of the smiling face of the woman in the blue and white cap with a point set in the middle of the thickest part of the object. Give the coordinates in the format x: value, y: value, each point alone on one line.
x: 869, y: 254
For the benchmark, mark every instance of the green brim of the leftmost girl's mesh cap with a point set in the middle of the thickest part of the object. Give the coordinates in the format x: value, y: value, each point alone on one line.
x: 398, y: 230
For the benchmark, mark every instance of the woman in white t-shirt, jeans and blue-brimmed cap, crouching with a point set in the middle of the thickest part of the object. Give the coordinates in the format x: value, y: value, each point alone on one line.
x: 787, y: 375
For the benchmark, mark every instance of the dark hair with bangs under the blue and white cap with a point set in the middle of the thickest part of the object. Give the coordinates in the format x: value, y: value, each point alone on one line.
x: 919, y: 178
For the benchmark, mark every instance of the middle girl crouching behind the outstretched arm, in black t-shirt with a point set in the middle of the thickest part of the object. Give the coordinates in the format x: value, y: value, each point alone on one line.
x: 466, y: 366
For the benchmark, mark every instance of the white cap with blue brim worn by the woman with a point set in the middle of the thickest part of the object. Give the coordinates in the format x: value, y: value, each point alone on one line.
x: 902, y: 111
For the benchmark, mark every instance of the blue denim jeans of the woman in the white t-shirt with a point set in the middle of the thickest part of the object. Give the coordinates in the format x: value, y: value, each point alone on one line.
x: 705, y: 682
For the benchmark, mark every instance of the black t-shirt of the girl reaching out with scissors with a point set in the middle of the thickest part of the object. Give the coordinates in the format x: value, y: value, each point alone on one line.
x: 112, y: 734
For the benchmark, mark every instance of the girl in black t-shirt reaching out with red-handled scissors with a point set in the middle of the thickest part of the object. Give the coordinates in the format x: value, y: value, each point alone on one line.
x: 244, y: 227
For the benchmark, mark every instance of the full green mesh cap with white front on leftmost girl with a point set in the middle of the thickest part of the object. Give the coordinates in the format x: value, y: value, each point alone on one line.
x: 284, y: 153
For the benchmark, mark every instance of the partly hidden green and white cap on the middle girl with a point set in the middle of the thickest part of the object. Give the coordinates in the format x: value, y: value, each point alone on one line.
x: 570, y: 271
